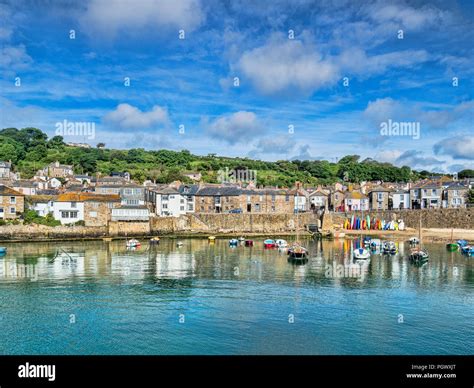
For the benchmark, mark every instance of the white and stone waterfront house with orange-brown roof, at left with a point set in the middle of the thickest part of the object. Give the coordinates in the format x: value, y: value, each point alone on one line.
x: 93, y: 209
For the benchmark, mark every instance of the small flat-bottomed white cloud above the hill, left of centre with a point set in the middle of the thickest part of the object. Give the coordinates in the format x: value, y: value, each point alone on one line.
x: 126, y: 116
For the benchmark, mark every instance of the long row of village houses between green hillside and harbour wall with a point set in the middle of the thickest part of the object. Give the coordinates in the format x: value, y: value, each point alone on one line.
x: 96, y: 200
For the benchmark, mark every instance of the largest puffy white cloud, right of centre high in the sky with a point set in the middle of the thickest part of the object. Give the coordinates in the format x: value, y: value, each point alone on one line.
x: 286, y: 66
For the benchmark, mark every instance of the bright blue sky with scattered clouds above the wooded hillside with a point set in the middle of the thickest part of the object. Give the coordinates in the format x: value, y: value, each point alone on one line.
x: 286, y: 79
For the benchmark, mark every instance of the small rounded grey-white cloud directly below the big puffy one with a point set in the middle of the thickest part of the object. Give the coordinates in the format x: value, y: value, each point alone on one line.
x: 237, y: 127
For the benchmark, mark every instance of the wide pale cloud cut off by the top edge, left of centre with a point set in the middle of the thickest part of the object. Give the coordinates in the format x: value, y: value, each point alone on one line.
x: 110, y: 17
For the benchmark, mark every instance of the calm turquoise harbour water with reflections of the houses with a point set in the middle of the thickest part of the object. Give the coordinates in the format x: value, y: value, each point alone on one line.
x: 201, y: 298
